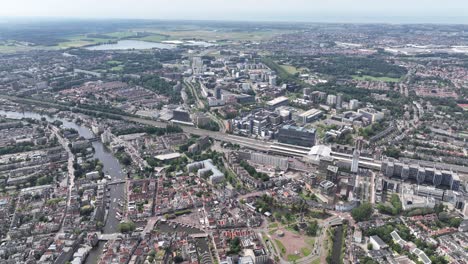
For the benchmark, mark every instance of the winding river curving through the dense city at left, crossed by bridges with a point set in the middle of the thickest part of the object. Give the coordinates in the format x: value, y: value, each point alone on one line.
x: 111, y: 166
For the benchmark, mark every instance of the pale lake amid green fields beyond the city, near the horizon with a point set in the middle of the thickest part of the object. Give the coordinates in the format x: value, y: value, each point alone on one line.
x: 132, y: 44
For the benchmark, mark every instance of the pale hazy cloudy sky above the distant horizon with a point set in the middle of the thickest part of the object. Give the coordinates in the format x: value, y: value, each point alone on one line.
x: 447, y: 11
